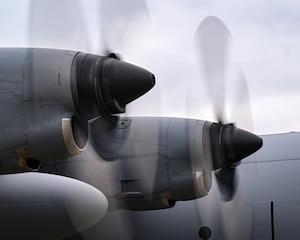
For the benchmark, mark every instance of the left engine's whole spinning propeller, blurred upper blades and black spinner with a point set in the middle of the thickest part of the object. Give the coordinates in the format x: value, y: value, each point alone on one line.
x: 103, y: 85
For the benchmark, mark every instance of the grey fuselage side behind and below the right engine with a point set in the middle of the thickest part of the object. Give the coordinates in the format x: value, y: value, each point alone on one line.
x: 269, y: 176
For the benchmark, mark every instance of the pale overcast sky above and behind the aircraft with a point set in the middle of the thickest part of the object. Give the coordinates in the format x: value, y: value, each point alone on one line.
x: 265, y: 47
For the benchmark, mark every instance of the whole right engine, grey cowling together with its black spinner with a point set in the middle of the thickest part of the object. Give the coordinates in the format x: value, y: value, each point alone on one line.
x: 153, y: 162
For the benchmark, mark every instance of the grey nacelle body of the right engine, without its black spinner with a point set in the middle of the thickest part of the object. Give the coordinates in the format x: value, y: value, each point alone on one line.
x: 163, y: 160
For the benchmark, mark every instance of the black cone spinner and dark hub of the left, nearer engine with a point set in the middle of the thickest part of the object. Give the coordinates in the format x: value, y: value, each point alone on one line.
x: 105, y: 85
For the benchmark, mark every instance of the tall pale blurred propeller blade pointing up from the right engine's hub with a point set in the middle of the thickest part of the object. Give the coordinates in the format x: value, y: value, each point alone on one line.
x: 212, y: 41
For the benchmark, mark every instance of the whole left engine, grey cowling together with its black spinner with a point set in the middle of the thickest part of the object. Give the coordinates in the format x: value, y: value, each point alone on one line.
x: 47, y: 97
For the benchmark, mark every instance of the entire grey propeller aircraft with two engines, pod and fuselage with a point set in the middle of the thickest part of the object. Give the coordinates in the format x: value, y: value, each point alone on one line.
x: 73, y: 168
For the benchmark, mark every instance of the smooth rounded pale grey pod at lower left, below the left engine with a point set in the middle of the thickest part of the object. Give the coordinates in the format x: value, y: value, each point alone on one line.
x: 45, y: 206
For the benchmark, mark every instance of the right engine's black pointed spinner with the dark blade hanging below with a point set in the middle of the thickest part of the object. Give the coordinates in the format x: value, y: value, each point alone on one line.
x: 229, y: 146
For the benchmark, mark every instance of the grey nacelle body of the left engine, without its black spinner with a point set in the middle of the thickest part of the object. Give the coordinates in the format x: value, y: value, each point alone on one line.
x: 39, y: 120
